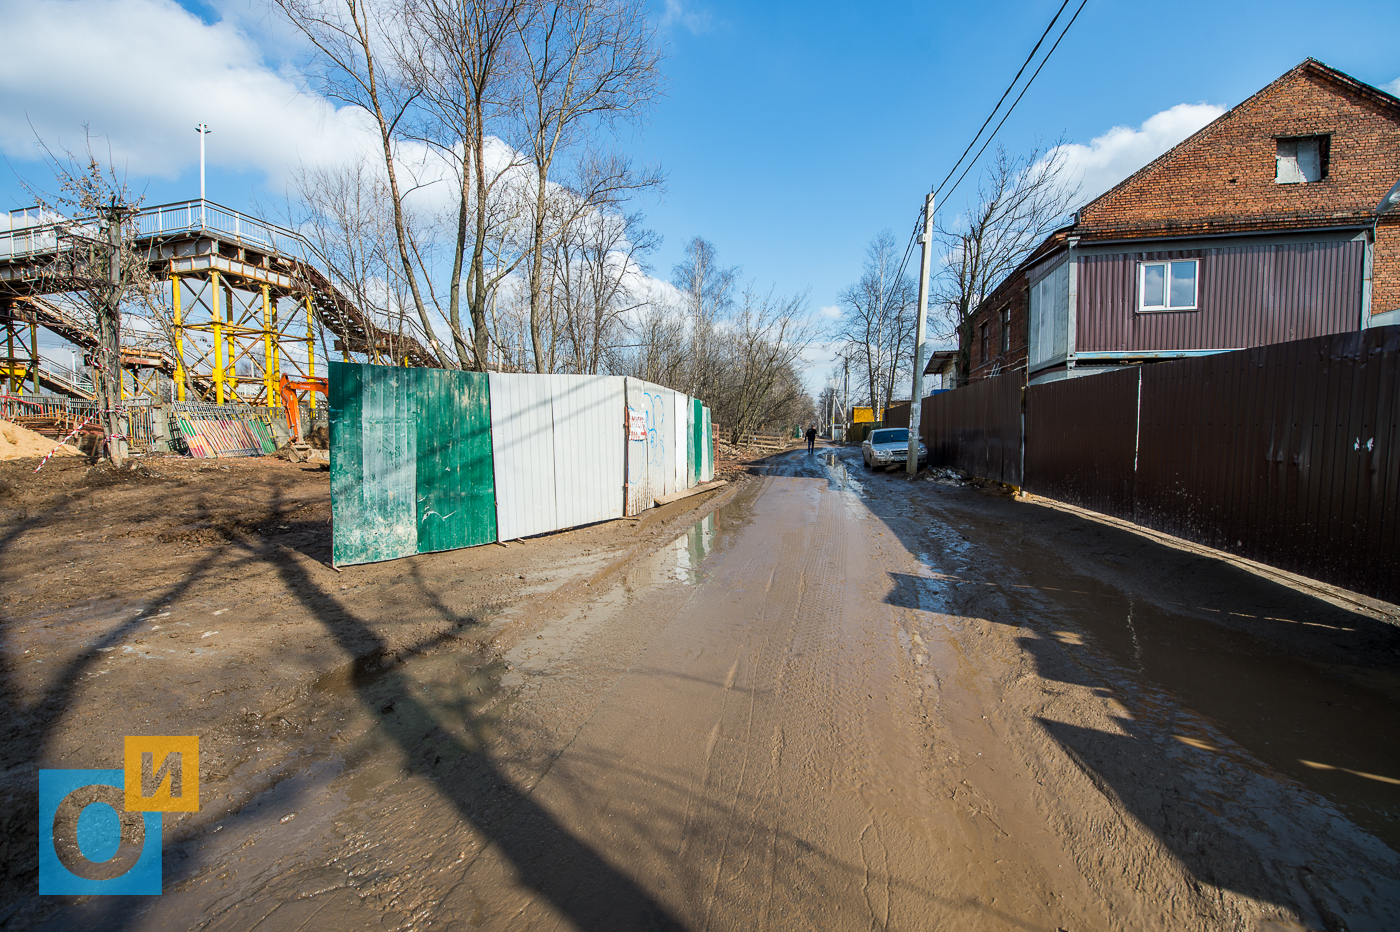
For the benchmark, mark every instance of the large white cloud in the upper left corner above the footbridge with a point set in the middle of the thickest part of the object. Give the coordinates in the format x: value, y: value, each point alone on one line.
x: 141, y: 73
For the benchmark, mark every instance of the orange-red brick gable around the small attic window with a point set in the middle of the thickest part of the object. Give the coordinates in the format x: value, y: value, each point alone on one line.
x: 1223, y: 178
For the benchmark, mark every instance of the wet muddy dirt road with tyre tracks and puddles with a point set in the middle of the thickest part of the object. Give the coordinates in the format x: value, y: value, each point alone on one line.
x: 838, y: 702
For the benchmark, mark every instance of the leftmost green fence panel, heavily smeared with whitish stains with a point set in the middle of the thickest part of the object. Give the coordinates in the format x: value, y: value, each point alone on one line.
x: 373, y: 456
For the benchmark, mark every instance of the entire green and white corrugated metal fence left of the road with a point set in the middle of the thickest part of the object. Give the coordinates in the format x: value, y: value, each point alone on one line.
x: 435, y: 460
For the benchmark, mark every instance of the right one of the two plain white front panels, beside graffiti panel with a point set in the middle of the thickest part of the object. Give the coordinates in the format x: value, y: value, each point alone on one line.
x: 590, y: 414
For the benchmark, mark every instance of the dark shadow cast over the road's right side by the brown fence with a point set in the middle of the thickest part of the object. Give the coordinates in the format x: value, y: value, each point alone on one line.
x: 1241, y: 689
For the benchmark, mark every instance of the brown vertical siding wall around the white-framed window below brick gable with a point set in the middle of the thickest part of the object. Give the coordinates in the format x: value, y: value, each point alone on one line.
x: 1249, y: 296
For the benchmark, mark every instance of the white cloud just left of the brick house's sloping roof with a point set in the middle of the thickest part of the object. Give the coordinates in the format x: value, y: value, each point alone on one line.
x: 1112, y: 157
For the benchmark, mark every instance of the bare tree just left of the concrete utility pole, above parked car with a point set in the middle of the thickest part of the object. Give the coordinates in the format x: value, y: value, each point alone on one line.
x: 880, y: 318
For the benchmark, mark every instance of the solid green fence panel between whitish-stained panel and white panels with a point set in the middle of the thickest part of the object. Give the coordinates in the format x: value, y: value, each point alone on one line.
x: 456, y: 481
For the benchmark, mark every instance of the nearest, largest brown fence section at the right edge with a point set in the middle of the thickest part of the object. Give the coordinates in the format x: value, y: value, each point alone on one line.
x: 1284, y: 454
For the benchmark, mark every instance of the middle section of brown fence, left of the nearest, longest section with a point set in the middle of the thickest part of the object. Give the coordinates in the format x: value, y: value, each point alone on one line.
x: 1081, y: 442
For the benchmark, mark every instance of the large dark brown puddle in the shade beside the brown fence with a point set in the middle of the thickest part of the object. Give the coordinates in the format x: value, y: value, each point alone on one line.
x: 1326, y: 726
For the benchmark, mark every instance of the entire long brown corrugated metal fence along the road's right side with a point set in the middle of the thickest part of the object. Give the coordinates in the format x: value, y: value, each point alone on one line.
x: 1284, y: 454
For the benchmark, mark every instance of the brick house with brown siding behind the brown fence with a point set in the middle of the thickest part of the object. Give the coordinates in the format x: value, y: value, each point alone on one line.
x: 1279, y: 222
